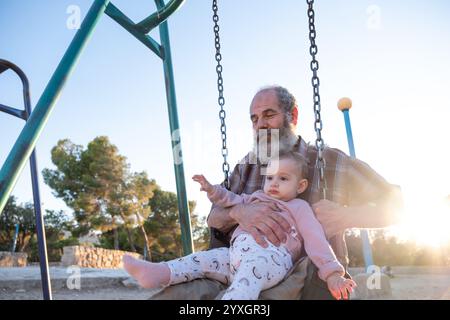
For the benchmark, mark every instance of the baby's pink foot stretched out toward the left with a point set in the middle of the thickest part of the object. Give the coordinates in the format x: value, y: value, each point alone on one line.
x: 148, y: 274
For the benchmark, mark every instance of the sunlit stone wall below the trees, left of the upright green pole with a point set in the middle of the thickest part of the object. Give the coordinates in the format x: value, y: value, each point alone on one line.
x: 90, y: 257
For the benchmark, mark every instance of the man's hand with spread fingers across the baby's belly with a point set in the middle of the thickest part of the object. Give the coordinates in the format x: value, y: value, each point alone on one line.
x: 260, y: 219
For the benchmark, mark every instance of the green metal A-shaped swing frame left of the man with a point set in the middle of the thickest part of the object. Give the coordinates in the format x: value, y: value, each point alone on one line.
x: 37, y: 119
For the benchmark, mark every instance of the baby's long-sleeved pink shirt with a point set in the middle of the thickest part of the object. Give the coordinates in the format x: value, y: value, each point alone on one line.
x: 306, y: 230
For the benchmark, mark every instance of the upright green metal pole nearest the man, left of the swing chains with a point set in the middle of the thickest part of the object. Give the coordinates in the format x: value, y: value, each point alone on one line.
x: 185, y: 219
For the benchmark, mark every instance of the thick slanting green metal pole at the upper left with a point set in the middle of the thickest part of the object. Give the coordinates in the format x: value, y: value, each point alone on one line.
x: 27, y: 139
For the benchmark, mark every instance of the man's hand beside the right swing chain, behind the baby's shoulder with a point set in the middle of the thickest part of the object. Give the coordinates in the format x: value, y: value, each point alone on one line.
x: 332, y: 216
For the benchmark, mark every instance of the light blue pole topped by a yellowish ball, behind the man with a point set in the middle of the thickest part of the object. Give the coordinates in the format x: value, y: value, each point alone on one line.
x: 345, y: 106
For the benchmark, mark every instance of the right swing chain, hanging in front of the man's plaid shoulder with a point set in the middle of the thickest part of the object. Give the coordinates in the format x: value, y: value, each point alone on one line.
x: 320, y: 144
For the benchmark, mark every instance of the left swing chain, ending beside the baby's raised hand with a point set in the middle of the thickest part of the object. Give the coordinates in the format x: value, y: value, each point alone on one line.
x: 221, y: 99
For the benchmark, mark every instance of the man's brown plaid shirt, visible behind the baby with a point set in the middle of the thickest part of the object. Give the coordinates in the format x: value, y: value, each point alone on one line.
x: 349, y: 182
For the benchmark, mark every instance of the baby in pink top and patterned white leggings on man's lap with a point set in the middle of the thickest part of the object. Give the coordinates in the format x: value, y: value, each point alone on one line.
x: 247, y: 267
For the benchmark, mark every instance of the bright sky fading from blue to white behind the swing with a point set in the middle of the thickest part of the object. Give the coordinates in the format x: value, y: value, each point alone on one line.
x: 389, y: 57
